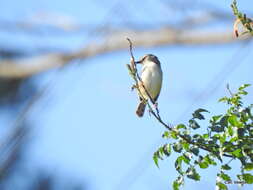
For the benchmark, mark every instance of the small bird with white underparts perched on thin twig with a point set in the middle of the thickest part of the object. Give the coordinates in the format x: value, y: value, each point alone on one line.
x: 151, y: 77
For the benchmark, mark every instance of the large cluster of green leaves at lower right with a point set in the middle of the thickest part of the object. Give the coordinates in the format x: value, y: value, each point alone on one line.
x: 227, y: 138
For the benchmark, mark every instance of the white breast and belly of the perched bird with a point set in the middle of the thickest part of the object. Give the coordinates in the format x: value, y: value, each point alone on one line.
x: 152, y: 78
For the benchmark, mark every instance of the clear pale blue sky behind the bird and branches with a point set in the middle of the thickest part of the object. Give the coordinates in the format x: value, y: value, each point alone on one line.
x: 86, y: 125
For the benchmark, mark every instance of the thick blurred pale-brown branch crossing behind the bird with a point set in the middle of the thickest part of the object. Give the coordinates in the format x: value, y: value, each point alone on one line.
x: 22, y: 68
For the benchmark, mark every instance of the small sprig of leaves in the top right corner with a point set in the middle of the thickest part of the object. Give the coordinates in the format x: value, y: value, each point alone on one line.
x: 246, y: 22
